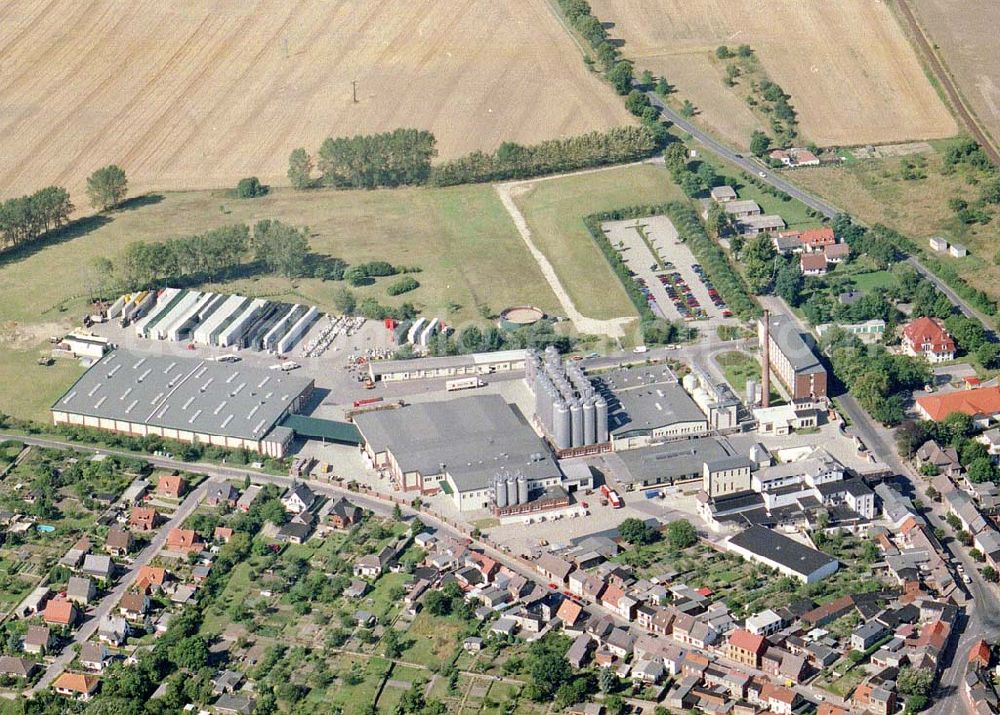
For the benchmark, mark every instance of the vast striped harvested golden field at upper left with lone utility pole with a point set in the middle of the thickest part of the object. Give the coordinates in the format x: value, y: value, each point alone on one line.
x: 197, y: 95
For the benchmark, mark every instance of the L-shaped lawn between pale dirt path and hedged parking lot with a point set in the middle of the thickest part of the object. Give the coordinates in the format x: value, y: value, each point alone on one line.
x: 554, y: 210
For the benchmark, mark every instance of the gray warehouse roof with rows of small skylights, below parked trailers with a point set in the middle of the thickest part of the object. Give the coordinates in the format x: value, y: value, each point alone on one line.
x: 184, y: 393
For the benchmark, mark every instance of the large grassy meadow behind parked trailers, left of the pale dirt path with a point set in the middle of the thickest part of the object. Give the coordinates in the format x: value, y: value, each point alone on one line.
x: 470, y: 256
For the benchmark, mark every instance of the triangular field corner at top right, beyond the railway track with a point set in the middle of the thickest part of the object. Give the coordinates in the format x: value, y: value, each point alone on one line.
x: 965, y: 35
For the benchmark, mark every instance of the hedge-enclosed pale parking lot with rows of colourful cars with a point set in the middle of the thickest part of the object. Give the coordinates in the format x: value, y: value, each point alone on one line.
x: 666, y: 270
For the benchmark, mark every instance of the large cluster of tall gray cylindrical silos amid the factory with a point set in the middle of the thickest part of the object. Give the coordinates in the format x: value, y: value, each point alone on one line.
x: 567, y: 407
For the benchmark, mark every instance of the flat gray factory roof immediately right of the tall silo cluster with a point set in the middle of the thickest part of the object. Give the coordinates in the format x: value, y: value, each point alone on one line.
x: 641, y: 404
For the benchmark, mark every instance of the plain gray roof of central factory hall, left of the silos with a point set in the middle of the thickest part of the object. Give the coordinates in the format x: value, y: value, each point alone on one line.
x: 470, y: 438
